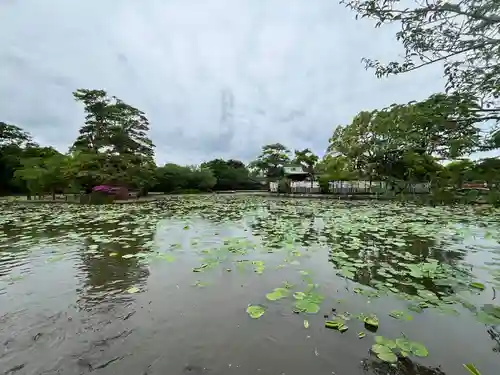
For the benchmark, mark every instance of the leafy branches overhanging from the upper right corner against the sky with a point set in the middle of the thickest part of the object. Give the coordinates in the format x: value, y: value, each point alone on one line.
x: 464, y: 36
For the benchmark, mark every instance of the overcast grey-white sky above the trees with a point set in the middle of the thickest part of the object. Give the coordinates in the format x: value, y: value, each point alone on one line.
x: 217, y: 78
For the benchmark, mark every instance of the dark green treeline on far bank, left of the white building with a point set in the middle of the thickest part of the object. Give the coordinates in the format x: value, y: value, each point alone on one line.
x: 113, y: 147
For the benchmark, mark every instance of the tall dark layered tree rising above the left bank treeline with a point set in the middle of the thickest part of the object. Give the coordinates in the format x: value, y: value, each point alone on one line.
x: 113, y: 145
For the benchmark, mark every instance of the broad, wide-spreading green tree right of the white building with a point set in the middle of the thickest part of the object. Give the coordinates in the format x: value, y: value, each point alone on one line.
x: 441, y: 126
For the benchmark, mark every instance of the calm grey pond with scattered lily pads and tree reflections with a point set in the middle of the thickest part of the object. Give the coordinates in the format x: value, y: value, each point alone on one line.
x: 249, y: 285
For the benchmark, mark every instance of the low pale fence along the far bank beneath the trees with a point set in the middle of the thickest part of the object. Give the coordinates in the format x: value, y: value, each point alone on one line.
x: 352, y: 187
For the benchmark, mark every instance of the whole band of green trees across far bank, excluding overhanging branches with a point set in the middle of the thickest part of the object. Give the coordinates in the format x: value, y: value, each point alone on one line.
x: 402, y: 143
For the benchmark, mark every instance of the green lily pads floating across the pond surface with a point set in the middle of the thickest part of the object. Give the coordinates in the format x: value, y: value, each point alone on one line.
x: 417, y: 254
